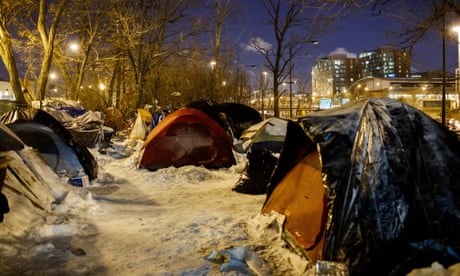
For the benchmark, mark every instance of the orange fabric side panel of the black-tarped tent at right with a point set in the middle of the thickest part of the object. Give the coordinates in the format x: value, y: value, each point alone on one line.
x: 300, y: 197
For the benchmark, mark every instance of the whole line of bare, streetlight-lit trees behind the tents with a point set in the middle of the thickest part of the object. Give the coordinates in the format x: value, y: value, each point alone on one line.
x: 126, y: 54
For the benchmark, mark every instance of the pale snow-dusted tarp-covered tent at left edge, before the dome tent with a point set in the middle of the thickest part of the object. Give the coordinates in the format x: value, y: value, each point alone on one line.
x: 32, y: 190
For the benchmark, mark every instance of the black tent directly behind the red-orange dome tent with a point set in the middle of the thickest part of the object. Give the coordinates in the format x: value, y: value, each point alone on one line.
x: 232, y: 117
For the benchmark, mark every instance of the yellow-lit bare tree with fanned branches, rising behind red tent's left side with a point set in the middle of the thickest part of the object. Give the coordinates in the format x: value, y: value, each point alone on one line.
x: 149, y: 32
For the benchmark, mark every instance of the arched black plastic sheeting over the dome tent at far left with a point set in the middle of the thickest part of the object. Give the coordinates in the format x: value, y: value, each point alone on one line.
x: 87, y: 160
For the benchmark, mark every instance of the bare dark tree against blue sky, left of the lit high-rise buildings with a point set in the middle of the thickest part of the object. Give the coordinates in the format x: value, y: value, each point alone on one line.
x: 297, y: 24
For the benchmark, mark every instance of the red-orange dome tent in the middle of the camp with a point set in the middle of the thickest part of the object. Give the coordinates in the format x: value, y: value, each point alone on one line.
x: 187, y: 137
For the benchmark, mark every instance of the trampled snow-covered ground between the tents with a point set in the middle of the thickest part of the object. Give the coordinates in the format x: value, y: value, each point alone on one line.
x: 174, y: 221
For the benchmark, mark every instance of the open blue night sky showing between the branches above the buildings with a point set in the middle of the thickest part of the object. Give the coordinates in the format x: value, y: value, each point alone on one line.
x: 353, y: 34
